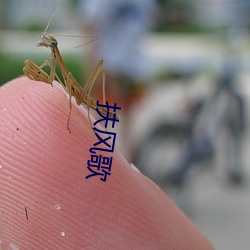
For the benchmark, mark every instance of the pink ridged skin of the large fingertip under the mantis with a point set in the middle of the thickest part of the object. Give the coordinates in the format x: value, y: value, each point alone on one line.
x: 43, y: 168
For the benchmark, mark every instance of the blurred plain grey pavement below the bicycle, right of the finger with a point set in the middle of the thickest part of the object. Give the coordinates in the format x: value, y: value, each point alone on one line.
x: 220, y: 210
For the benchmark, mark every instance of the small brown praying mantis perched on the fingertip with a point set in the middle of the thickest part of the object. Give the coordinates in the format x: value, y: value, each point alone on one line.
x: 71, y: 86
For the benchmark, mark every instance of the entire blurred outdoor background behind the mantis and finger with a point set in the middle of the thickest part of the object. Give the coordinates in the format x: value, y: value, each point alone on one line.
x: 180, y: 71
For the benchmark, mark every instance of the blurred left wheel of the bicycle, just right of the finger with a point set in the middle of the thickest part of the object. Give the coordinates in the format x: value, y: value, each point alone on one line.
x: 160, y: 150
